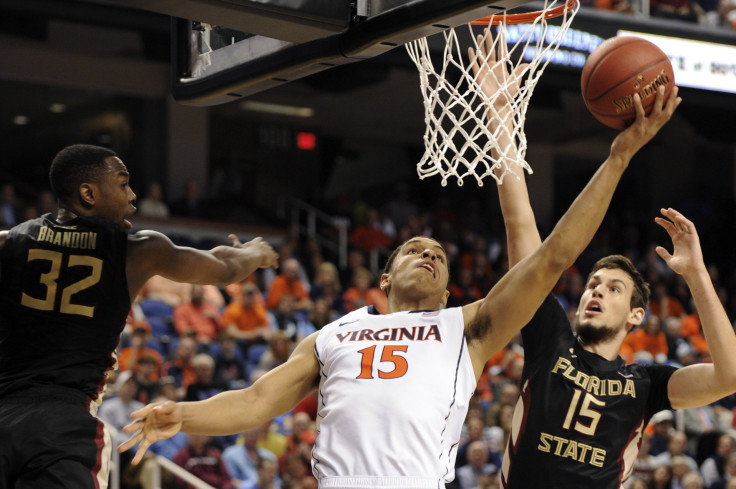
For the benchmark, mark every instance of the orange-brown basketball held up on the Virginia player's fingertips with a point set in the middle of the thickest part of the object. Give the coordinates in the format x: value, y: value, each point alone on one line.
x: 616, y: 70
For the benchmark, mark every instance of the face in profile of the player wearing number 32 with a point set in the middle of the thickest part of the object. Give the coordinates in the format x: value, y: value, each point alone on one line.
x: 116, y: 198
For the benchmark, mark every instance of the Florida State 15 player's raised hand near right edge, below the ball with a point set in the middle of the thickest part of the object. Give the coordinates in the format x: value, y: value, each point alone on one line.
x: 686, y: 256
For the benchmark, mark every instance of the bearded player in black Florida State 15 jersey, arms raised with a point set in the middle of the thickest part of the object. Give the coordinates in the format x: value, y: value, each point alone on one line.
x: 581, y: 413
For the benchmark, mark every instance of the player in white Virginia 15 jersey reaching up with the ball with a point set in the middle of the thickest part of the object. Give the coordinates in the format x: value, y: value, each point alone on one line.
x: 394, y: 389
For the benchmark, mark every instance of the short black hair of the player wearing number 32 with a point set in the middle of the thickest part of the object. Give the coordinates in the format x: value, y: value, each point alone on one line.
x: 74, y: 165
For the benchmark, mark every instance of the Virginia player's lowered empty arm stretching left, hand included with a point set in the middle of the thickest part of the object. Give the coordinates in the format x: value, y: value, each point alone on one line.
x: 230, y: 412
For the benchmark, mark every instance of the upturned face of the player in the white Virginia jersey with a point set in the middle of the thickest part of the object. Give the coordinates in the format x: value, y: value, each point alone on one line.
x: 420, y: 267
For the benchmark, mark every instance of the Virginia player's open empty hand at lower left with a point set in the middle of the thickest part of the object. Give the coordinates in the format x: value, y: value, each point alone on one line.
x: 150, y: 424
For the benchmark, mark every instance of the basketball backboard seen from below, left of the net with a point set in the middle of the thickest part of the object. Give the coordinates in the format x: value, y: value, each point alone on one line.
x: 224, y: 50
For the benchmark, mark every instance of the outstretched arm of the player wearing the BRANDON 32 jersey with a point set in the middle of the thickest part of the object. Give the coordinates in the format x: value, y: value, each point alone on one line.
x: 152, y: 253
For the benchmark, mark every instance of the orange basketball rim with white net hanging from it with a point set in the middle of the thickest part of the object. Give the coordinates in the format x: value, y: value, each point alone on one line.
x: 466, y: 135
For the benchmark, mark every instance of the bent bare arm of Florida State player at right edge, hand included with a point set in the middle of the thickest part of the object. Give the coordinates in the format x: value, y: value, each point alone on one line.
x: 701, y: 384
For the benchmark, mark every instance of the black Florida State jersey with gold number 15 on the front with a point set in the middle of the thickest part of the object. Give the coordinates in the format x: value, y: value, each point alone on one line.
x: 579, y: 419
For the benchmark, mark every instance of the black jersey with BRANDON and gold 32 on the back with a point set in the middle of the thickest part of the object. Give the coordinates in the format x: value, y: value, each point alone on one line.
x: 63, y: 302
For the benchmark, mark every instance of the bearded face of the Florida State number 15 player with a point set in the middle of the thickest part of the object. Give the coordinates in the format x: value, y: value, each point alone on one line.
x: 606, y: 301
